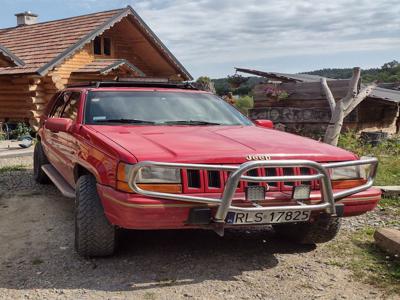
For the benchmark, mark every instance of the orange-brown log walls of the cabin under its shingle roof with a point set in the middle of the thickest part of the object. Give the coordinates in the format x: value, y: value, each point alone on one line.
x: 24, y: 98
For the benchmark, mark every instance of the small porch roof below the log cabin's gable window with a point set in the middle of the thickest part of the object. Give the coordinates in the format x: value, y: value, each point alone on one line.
x: 103, y: 66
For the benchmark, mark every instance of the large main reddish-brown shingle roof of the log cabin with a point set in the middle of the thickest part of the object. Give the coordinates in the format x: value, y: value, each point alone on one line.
x: 44, y: 45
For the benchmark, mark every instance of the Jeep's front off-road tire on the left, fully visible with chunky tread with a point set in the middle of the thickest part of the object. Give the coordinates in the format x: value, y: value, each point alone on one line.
x: 94, y: 235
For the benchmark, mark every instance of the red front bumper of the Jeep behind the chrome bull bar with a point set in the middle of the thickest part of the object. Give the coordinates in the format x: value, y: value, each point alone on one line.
x: 133, y: 211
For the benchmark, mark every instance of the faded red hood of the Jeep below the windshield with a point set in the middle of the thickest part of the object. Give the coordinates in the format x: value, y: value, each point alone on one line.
x: 216, y: 144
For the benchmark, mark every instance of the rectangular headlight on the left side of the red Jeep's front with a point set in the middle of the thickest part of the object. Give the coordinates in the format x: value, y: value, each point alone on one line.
x: 159, y: 175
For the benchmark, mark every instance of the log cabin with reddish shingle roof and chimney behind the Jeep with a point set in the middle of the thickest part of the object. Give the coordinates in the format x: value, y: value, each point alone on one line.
x: 39, y: 59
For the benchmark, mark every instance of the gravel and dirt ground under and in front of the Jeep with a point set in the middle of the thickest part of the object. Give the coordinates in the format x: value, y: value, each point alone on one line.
x: 38, y: 261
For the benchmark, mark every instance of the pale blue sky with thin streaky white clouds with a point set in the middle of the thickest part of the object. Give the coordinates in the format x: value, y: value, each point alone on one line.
x: 211, y: 37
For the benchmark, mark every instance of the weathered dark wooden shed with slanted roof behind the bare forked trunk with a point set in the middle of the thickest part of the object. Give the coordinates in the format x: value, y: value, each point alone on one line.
x: 298, y: 102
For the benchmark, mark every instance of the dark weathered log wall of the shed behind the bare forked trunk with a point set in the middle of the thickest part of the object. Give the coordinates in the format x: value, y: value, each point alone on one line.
x: 306, y: 109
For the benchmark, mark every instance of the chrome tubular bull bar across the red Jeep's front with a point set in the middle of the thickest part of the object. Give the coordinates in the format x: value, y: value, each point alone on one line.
x: 224, y: 203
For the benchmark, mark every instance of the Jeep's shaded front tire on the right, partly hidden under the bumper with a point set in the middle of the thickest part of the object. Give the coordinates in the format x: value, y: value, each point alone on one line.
x: 322, y: 230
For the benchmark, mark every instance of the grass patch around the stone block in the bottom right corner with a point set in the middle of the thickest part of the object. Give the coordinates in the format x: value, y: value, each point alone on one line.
x: 359, y: 253
